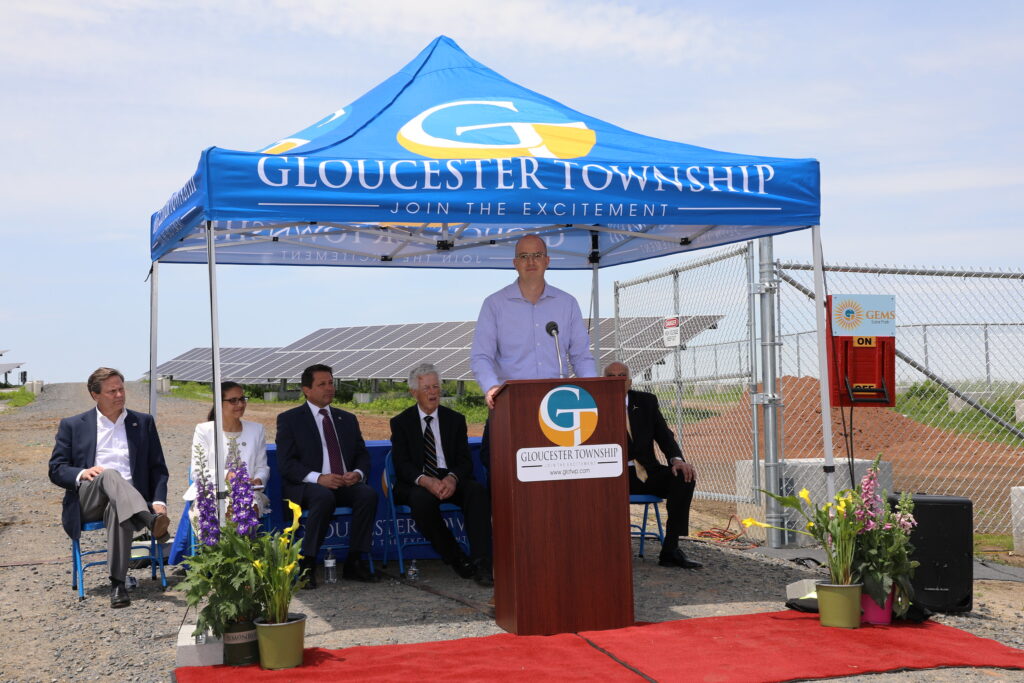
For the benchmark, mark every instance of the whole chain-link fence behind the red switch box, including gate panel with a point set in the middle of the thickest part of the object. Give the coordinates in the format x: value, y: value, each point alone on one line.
x: 958, y: 428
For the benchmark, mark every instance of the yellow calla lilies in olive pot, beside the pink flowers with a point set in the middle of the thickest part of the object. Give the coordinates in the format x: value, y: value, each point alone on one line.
x: 836, y: 527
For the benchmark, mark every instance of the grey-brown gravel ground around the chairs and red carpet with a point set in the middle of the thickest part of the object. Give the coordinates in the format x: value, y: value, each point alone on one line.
x: 52, y: 636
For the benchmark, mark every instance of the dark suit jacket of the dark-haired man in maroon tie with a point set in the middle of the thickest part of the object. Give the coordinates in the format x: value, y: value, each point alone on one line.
x: 302, y: 452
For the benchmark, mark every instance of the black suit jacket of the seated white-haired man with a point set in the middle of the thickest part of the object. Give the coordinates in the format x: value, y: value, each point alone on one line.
x: 407, y: 445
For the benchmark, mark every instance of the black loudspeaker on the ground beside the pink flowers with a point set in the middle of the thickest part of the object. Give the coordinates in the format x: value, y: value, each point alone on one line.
x: 944, y: 543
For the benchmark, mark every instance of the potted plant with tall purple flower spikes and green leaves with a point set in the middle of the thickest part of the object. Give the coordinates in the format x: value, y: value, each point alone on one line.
x: 221, y: 573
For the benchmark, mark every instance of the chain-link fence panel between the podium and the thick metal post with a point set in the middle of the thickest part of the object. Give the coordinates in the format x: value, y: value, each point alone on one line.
x: 703, y: 386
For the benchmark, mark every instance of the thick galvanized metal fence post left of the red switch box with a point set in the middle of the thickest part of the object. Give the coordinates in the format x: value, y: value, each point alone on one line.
x: 770, y: 397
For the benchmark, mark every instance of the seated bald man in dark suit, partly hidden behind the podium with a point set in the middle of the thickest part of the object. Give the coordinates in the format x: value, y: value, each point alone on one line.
x: 663, y: 474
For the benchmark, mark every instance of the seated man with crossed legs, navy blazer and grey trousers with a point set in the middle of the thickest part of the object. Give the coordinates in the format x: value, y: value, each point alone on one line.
x: 110, y: 461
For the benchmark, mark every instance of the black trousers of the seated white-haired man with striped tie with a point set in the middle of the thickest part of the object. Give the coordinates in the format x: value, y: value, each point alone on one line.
x: 475, y: 500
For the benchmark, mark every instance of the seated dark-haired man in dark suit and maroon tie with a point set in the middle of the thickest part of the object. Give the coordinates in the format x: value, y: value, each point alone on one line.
x: 325, y: 464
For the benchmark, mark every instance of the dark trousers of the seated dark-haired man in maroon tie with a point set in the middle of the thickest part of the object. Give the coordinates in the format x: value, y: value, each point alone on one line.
x: 321, y: 502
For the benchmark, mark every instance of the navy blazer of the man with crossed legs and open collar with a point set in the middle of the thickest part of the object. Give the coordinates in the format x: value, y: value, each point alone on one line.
x: 76, y: 451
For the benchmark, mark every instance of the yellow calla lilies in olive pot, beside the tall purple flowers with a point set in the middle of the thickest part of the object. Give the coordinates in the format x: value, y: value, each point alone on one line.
x: 276, y: 561
